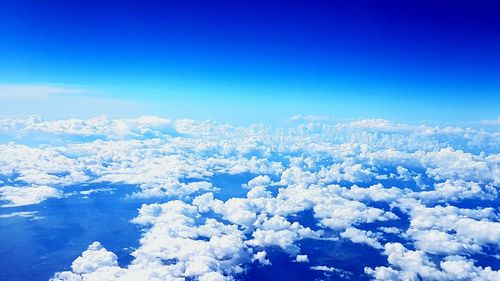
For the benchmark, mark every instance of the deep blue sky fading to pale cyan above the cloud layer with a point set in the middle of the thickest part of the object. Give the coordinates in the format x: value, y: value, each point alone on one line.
x: 246, y: 61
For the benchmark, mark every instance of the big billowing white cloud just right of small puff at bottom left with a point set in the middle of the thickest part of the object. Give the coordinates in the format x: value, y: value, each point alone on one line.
x: 174, y: 234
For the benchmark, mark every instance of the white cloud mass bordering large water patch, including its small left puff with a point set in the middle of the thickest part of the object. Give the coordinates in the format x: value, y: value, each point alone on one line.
x: 171, y: 249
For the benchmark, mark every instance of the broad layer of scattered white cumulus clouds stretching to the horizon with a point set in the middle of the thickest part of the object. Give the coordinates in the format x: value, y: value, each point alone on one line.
x: 400, y: 181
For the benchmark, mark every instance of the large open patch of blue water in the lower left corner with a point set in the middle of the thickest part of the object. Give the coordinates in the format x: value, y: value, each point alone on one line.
x: 36, y: 249
